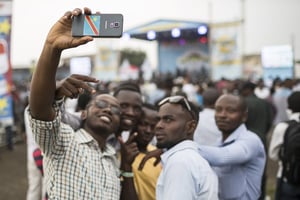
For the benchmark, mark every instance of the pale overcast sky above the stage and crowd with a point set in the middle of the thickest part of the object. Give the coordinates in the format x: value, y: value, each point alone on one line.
x: 267, y: 22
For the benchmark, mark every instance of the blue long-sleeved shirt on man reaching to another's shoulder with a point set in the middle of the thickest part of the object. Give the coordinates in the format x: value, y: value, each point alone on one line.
x: 239, y: 163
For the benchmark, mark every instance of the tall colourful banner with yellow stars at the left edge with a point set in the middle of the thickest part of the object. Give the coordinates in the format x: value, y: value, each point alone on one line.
x: 6, y: 101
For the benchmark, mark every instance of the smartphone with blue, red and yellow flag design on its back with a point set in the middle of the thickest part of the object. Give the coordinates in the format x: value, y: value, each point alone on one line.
x: 98, y: 25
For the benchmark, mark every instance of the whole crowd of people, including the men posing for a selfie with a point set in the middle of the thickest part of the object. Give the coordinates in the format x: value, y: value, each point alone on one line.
x: 163, y: 140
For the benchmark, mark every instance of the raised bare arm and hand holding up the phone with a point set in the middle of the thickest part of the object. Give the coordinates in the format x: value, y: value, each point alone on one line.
x: 42, y: 92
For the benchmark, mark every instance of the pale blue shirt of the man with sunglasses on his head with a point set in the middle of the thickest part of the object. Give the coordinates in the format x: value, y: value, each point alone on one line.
x: 186, y: 175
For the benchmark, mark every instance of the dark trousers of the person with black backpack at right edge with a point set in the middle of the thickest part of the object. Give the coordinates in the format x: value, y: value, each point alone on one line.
x: 285, y: 191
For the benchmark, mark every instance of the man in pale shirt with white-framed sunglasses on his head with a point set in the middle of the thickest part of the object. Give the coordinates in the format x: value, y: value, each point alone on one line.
x: 185, y: 174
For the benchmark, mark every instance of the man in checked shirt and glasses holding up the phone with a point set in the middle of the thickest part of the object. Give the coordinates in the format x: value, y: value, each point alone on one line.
x: 77, y: 165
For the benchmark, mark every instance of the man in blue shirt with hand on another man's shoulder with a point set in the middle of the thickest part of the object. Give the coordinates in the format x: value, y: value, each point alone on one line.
x: 240, y: 159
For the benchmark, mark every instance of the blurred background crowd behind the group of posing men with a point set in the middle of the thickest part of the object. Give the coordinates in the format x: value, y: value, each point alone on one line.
x: 202, y: 94
